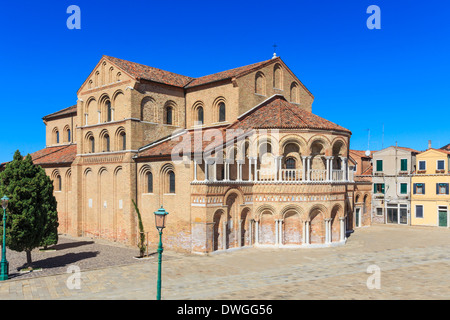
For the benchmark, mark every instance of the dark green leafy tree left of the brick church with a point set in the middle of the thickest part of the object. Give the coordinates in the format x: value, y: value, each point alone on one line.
x: 32, y: 207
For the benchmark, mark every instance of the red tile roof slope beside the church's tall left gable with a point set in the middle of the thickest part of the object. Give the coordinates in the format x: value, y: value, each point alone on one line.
x: 140, y: 71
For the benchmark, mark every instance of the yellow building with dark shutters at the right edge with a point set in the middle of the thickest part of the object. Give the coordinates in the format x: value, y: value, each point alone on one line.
x: 430, y: 199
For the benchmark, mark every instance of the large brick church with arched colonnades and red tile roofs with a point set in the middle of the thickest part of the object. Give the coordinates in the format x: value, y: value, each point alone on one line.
x: 237, y: 158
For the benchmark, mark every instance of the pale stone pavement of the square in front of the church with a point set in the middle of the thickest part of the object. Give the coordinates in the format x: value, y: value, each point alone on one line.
x: 414, y: 263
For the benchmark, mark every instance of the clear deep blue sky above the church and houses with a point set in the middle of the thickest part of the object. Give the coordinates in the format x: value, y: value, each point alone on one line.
x: 396, y: 77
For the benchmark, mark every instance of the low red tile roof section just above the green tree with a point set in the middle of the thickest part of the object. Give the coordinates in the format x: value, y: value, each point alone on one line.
x: 55, y: 155
